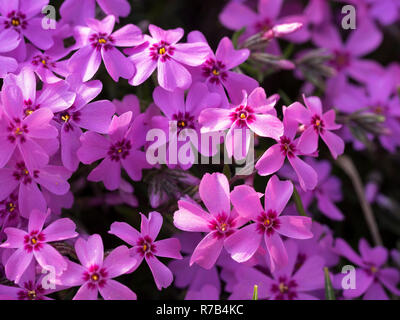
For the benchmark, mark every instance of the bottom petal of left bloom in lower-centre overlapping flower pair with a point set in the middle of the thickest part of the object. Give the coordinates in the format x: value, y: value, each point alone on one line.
x: 207, y: 251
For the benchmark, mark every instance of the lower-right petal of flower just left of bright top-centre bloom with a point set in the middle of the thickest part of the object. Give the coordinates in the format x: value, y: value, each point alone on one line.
x: 117, y: 64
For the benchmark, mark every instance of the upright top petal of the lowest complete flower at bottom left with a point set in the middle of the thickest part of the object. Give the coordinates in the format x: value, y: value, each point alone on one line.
x: 90, y: 251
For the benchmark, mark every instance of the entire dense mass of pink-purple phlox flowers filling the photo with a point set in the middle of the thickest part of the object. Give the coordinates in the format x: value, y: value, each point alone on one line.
x: 59, y: 138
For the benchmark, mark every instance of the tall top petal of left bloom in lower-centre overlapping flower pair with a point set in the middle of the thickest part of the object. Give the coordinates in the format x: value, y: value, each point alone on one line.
x: 214, y: 191
